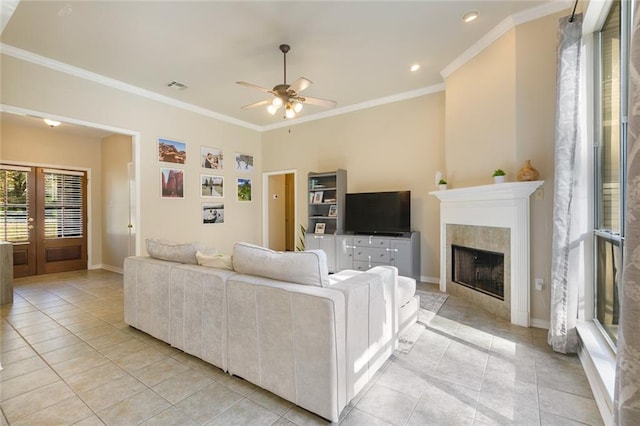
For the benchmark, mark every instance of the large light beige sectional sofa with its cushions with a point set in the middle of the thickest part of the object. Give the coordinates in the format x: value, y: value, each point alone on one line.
x: 278, y: 320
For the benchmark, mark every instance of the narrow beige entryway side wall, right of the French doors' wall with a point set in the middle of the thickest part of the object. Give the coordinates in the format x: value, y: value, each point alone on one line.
x: 116, y: 155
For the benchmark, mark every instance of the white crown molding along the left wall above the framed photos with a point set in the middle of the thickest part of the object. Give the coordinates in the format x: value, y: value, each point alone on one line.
x: 117, y: 84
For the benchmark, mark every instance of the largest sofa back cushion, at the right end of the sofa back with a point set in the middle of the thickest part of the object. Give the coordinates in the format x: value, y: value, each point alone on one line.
x: 302, y: 267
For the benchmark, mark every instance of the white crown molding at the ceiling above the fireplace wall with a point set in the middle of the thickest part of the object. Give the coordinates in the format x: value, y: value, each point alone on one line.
x: 501, y: 29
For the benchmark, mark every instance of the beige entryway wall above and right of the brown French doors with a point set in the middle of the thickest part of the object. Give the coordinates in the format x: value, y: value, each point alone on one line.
x: 55, y: 148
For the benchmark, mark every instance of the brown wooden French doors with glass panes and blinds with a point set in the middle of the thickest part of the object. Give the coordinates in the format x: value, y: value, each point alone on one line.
x: 43, y: 213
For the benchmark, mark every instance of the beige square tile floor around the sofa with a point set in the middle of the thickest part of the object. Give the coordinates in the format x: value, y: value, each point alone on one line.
x: 69, y: 358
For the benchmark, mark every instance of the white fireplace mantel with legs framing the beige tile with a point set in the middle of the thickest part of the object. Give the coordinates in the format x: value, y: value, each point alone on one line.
x: 502, y: 205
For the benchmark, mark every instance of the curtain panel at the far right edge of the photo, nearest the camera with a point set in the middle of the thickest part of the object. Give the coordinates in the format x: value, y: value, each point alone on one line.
x: 627, y: 398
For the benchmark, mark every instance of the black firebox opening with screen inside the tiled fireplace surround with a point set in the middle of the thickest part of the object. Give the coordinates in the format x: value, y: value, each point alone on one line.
x: 480, y: 270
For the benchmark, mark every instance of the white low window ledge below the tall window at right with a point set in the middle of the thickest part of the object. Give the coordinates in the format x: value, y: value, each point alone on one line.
x: 599, y: 364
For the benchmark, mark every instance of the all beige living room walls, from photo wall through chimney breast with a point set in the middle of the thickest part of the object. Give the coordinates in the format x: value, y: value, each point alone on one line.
x: 497, y: 111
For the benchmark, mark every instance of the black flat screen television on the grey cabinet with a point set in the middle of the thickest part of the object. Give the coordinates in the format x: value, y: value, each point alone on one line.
x: 384, y: 213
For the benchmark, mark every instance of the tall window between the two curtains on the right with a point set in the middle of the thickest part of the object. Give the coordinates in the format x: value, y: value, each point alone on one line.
x: 609, y: 166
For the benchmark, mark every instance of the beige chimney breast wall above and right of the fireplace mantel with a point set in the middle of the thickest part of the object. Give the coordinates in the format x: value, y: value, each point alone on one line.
x: 500, y: 113
